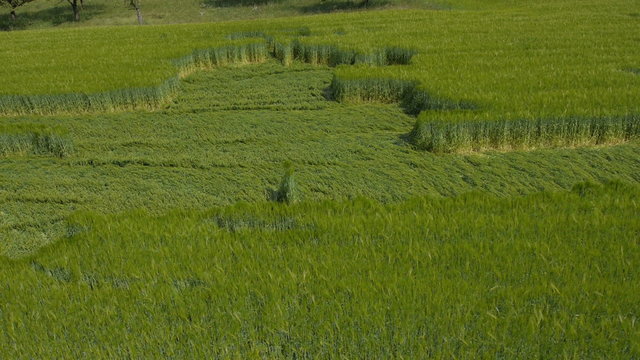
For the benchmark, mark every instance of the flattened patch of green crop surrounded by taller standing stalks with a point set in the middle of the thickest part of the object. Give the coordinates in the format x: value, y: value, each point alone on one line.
x: 217, y: 145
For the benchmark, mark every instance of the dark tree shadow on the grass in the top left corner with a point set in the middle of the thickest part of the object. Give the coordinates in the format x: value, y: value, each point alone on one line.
x: 54, y: 16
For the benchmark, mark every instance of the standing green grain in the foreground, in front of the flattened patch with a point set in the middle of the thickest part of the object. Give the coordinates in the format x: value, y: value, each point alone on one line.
x: 552, y: 275
